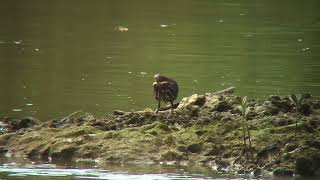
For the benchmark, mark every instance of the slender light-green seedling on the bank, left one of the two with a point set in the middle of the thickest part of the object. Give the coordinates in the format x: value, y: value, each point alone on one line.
x: 245, y: 127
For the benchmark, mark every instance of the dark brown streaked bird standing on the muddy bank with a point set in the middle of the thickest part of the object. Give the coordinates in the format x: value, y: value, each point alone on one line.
x: 165, y: 89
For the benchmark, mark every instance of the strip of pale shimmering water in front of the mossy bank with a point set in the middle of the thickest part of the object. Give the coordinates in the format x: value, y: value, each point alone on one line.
x: 20, y: 168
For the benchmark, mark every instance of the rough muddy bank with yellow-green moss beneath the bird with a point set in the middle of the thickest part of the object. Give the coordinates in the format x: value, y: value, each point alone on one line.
x: 204, y: 129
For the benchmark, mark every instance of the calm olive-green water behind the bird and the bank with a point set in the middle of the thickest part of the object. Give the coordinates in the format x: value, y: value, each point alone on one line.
x: 57, y: 57
